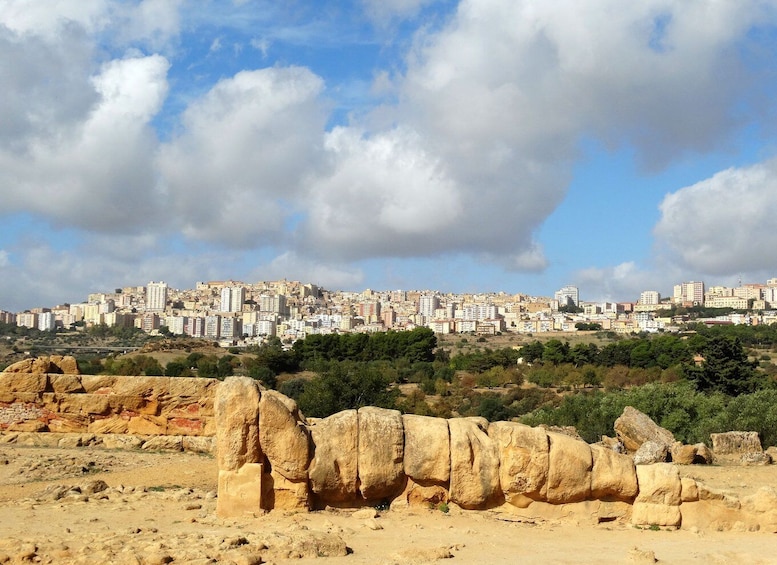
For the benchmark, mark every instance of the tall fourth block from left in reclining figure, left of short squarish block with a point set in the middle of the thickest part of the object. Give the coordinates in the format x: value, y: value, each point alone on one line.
x: 381, y: 448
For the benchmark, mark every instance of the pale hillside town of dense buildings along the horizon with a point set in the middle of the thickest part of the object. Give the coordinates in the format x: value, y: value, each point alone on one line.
x: 235, y: 313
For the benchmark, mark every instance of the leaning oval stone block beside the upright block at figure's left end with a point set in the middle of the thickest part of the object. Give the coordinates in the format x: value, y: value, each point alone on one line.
x: 283, y: 437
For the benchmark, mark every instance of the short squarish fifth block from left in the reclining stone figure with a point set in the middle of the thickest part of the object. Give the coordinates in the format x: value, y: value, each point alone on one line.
x: 427, y: 448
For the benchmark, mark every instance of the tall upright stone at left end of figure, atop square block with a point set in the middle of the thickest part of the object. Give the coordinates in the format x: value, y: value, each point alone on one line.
x: 237, y: 423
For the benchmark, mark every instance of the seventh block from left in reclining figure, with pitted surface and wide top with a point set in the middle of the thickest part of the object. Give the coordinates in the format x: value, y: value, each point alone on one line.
x: 523, y: 461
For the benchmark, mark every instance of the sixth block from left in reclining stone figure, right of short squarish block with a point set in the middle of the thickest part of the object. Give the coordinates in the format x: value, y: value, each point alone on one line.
x: 474, y: 466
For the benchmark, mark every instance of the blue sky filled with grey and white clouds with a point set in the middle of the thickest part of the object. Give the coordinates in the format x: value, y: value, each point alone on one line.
x: 463, y: 146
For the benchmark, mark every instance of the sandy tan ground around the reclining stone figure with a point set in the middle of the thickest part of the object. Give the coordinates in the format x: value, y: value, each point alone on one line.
x: 98, y: 506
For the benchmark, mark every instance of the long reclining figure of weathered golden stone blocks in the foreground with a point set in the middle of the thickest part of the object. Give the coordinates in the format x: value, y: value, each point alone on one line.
x: 271, y: 458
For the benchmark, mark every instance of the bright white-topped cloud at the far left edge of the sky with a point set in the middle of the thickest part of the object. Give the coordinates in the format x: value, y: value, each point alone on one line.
x: 93, y: 170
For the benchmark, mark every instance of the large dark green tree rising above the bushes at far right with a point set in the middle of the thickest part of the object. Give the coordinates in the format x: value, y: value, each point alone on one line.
x: 725, y: 368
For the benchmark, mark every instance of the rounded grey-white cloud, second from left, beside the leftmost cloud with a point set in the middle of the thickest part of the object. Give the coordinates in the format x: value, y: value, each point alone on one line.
x: 242, y: 153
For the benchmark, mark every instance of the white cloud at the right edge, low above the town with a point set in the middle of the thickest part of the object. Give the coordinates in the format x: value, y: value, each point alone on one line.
x: 724, y: 224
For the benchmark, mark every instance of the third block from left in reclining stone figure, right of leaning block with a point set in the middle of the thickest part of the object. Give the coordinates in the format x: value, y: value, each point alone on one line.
x: 333, y: 469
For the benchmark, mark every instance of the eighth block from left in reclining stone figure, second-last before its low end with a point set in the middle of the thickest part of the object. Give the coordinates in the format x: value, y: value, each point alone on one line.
x: 569, y: 469
